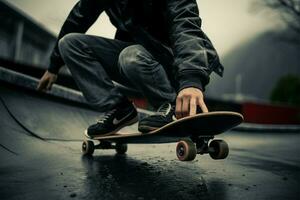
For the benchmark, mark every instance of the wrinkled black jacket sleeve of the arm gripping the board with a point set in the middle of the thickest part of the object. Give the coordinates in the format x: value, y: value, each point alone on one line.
x: 194, y: 55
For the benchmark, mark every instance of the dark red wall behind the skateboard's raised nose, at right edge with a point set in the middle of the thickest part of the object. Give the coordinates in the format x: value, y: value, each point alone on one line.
x: 270, y: 114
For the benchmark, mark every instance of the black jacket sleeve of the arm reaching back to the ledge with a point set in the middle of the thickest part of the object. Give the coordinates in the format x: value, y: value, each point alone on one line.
x: 81, y: 17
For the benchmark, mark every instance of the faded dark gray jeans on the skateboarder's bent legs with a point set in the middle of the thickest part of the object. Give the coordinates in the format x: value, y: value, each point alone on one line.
x: 95, y: 62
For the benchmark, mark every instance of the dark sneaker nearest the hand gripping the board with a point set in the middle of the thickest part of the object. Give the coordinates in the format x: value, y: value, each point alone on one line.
x: 164, y: 115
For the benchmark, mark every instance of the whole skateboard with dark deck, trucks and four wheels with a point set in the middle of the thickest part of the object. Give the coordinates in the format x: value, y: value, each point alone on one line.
x: 193, y: 134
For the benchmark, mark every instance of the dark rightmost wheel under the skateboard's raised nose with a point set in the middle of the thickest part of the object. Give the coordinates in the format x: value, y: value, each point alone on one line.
x: 220, y: 149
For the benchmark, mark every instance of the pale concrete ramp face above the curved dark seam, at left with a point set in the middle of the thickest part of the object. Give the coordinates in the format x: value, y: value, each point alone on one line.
x: 45, y: 118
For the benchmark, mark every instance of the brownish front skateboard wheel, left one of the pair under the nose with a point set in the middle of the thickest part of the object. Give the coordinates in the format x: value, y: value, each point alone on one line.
x: 186, y: 150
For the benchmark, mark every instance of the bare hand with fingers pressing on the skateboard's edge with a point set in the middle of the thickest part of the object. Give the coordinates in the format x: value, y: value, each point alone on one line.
x: 187, y: 101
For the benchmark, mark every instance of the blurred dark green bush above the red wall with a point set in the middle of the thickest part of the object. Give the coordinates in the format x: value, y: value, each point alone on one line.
x: 287, y: 90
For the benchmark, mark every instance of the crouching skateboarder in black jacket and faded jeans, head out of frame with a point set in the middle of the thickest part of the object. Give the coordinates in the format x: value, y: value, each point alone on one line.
x: 159, y: 49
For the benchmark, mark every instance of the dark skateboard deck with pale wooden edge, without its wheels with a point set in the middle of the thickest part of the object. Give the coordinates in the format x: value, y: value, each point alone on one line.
x: 204, y: 124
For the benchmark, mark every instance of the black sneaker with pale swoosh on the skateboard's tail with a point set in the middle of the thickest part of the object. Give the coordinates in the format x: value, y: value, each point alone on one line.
x: 124, y: 114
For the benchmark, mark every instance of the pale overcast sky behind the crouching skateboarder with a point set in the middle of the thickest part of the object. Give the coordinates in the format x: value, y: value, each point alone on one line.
x: 227, y: 23
